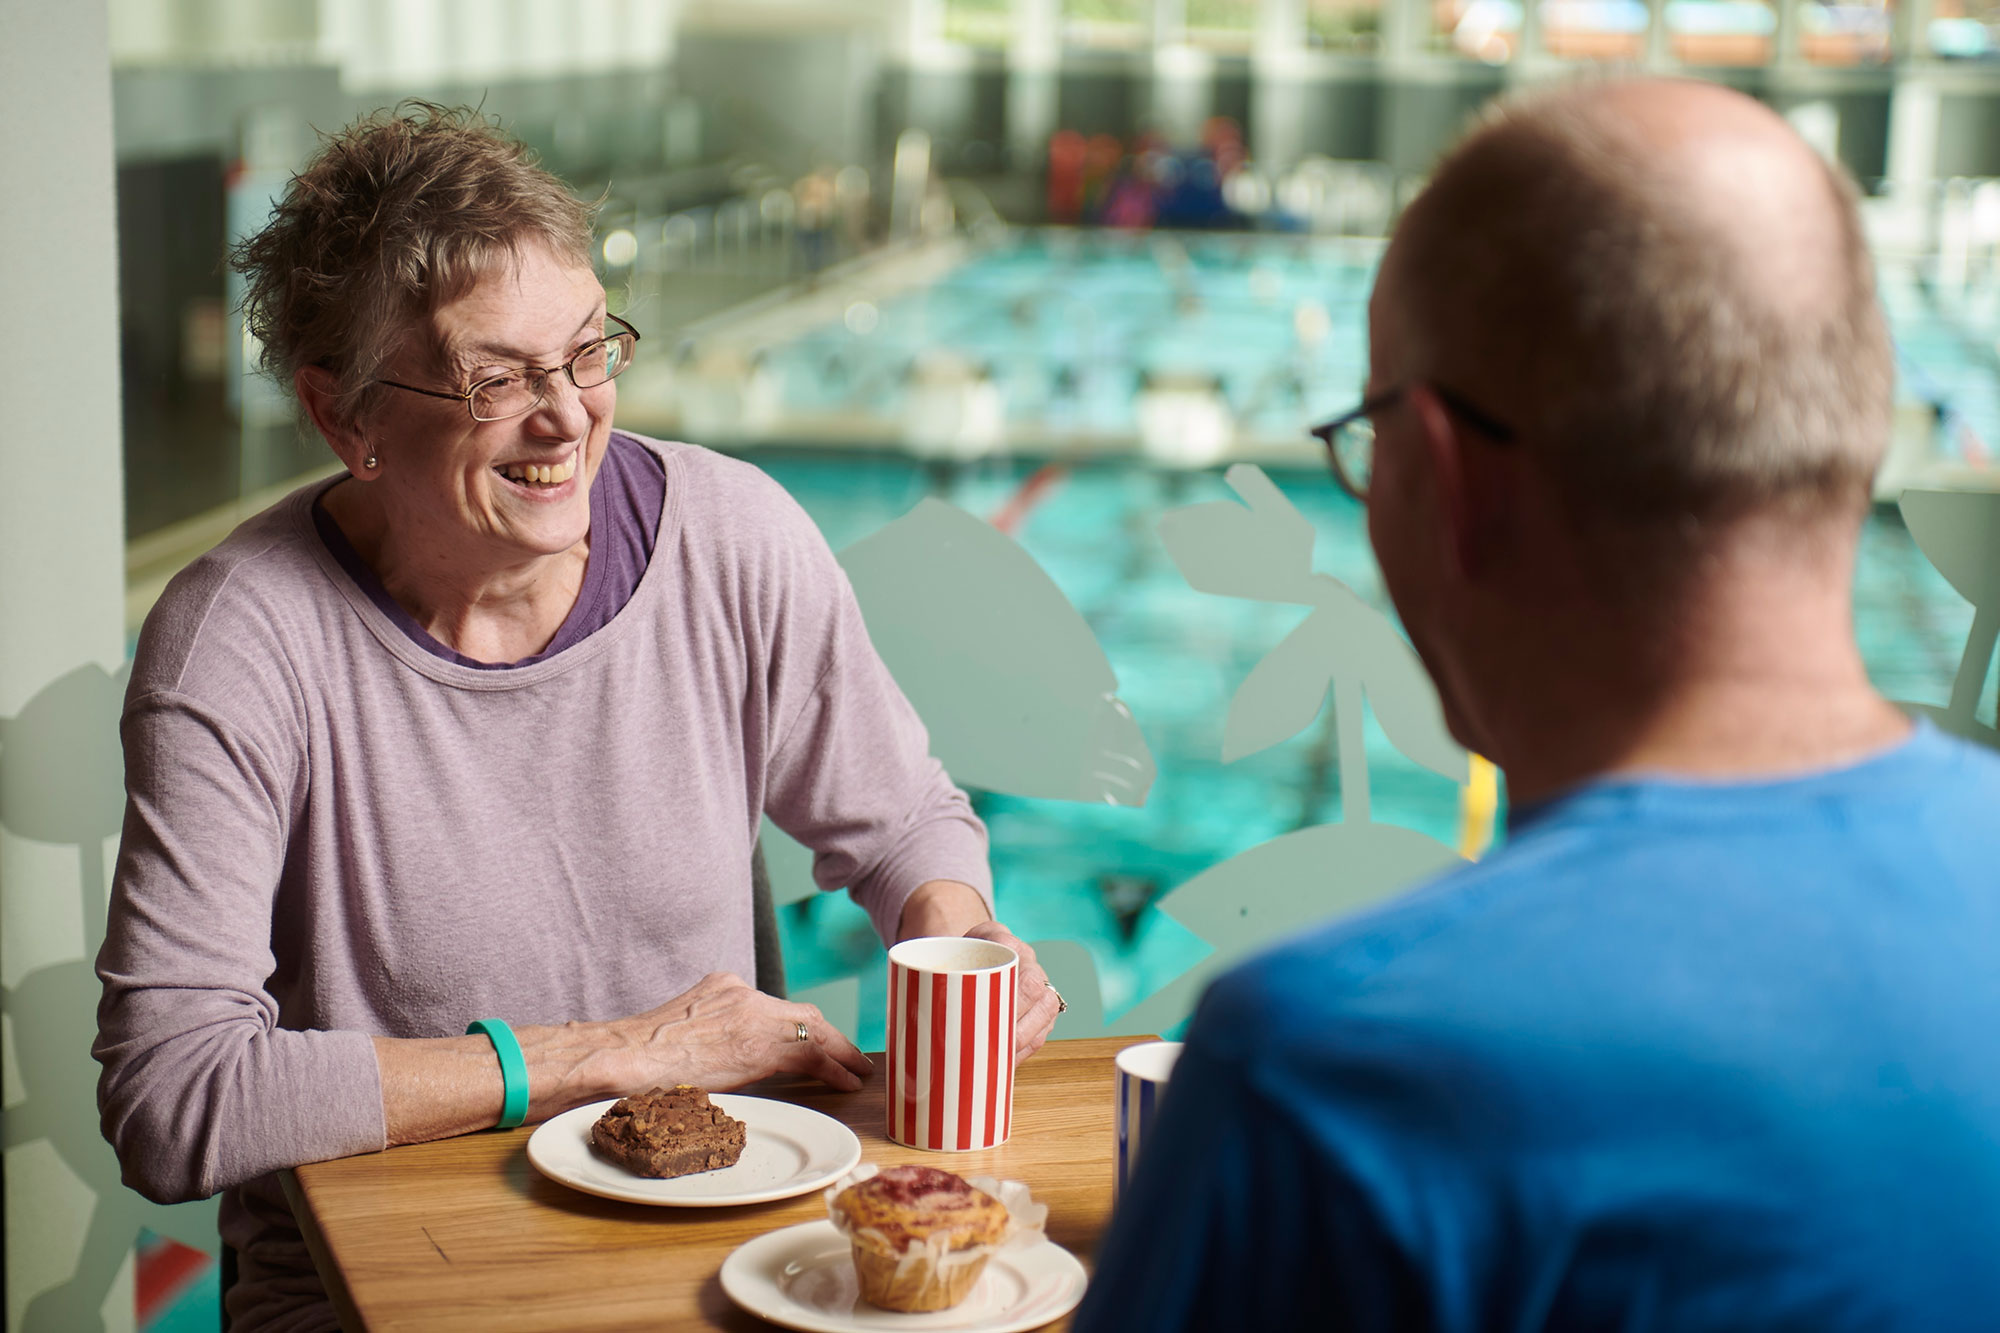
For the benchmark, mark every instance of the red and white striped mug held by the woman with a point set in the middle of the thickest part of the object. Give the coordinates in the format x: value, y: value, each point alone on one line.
x: 951, y: 1044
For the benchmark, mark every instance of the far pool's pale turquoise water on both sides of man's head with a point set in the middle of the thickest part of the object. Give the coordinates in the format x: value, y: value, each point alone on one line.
x: 1069, y: 325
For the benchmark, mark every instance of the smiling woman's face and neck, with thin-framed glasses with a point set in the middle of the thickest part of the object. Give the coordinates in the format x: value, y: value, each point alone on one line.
x: 475, y: 505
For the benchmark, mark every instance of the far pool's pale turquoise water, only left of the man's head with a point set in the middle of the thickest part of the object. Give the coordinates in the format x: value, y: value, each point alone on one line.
x: 1069, y: 323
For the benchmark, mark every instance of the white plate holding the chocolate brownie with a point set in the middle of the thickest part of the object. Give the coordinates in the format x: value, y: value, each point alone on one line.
x: 787, y: 1152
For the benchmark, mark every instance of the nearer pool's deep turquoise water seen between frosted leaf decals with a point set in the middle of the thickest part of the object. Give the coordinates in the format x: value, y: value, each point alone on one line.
x: 1091, y: 874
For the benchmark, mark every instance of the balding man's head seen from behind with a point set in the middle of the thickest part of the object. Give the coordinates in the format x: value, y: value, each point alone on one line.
x: 1667, y: 297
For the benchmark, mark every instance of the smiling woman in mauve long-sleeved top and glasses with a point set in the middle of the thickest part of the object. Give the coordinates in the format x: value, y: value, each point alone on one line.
x: 483, y: 732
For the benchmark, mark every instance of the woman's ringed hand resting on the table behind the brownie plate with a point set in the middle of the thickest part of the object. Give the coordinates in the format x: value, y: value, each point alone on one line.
x: 725, y: 1034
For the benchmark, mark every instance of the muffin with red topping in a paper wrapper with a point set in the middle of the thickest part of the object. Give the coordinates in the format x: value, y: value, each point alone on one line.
x: 921, y: 1236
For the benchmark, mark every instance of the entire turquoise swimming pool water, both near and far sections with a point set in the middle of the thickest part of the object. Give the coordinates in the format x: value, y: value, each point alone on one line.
x: 1069, y: 329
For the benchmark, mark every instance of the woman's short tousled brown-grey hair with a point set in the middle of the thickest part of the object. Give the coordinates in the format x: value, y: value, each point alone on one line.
x: 393, y: 219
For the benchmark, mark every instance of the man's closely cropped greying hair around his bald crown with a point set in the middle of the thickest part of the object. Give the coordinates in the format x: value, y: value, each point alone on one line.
x: 1667, y: 373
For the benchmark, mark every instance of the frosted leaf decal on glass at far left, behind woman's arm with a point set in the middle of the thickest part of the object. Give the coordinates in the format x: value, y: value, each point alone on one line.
x: 63, y: 784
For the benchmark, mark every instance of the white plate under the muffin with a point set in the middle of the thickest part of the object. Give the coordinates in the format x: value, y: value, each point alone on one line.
x: 803, y: 1278
